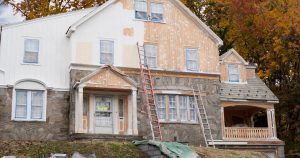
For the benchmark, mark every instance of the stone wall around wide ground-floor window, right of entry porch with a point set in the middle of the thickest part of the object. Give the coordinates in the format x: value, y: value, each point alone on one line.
x: 182, y: 132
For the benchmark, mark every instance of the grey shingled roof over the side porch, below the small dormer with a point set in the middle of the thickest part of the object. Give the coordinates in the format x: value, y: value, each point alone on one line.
x: 255, y: 90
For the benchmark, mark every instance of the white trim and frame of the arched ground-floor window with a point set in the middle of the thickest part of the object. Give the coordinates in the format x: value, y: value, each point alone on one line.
x: 28, y: 119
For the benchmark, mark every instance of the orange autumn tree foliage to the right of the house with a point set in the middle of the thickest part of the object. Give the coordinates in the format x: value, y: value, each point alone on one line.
x: 266, y: 32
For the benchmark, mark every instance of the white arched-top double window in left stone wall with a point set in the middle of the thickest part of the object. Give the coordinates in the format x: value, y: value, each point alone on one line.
x: 29, y: 101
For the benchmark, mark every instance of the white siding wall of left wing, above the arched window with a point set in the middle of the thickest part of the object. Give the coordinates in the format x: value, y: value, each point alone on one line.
x: 54, y: 55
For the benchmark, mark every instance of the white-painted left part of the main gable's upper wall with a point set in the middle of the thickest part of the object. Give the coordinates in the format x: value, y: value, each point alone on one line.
x: 109, y: 24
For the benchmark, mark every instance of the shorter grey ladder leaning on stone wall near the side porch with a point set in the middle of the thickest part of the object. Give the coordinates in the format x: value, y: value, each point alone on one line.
x: 202, y: 115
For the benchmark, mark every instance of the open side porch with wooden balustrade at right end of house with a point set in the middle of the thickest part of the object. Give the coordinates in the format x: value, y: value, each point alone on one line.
x: 248, y: 122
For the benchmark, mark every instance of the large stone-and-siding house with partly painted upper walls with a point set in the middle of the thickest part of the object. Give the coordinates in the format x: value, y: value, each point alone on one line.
x: 77, y: 74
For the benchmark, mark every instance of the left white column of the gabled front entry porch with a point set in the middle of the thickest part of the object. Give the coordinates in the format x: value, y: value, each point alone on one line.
x: 79, y: 110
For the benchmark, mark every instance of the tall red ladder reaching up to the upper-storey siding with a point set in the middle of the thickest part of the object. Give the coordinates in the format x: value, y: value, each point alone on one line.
x: 149, y: 94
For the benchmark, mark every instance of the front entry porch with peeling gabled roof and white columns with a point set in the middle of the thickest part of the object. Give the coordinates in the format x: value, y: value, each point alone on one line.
x: 105, y: 104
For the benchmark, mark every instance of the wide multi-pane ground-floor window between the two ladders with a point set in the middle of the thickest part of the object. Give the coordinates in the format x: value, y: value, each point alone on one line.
x: 185, y: 104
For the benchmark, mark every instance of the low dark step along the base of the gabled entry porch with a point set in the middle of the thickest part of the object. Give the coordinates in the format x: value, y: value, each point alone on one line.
x: 106, y: 137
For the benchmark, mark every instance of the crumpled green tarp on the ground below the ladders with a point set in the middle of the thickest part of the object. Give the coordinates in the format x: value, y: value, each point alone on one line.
x: 171, y: 149
